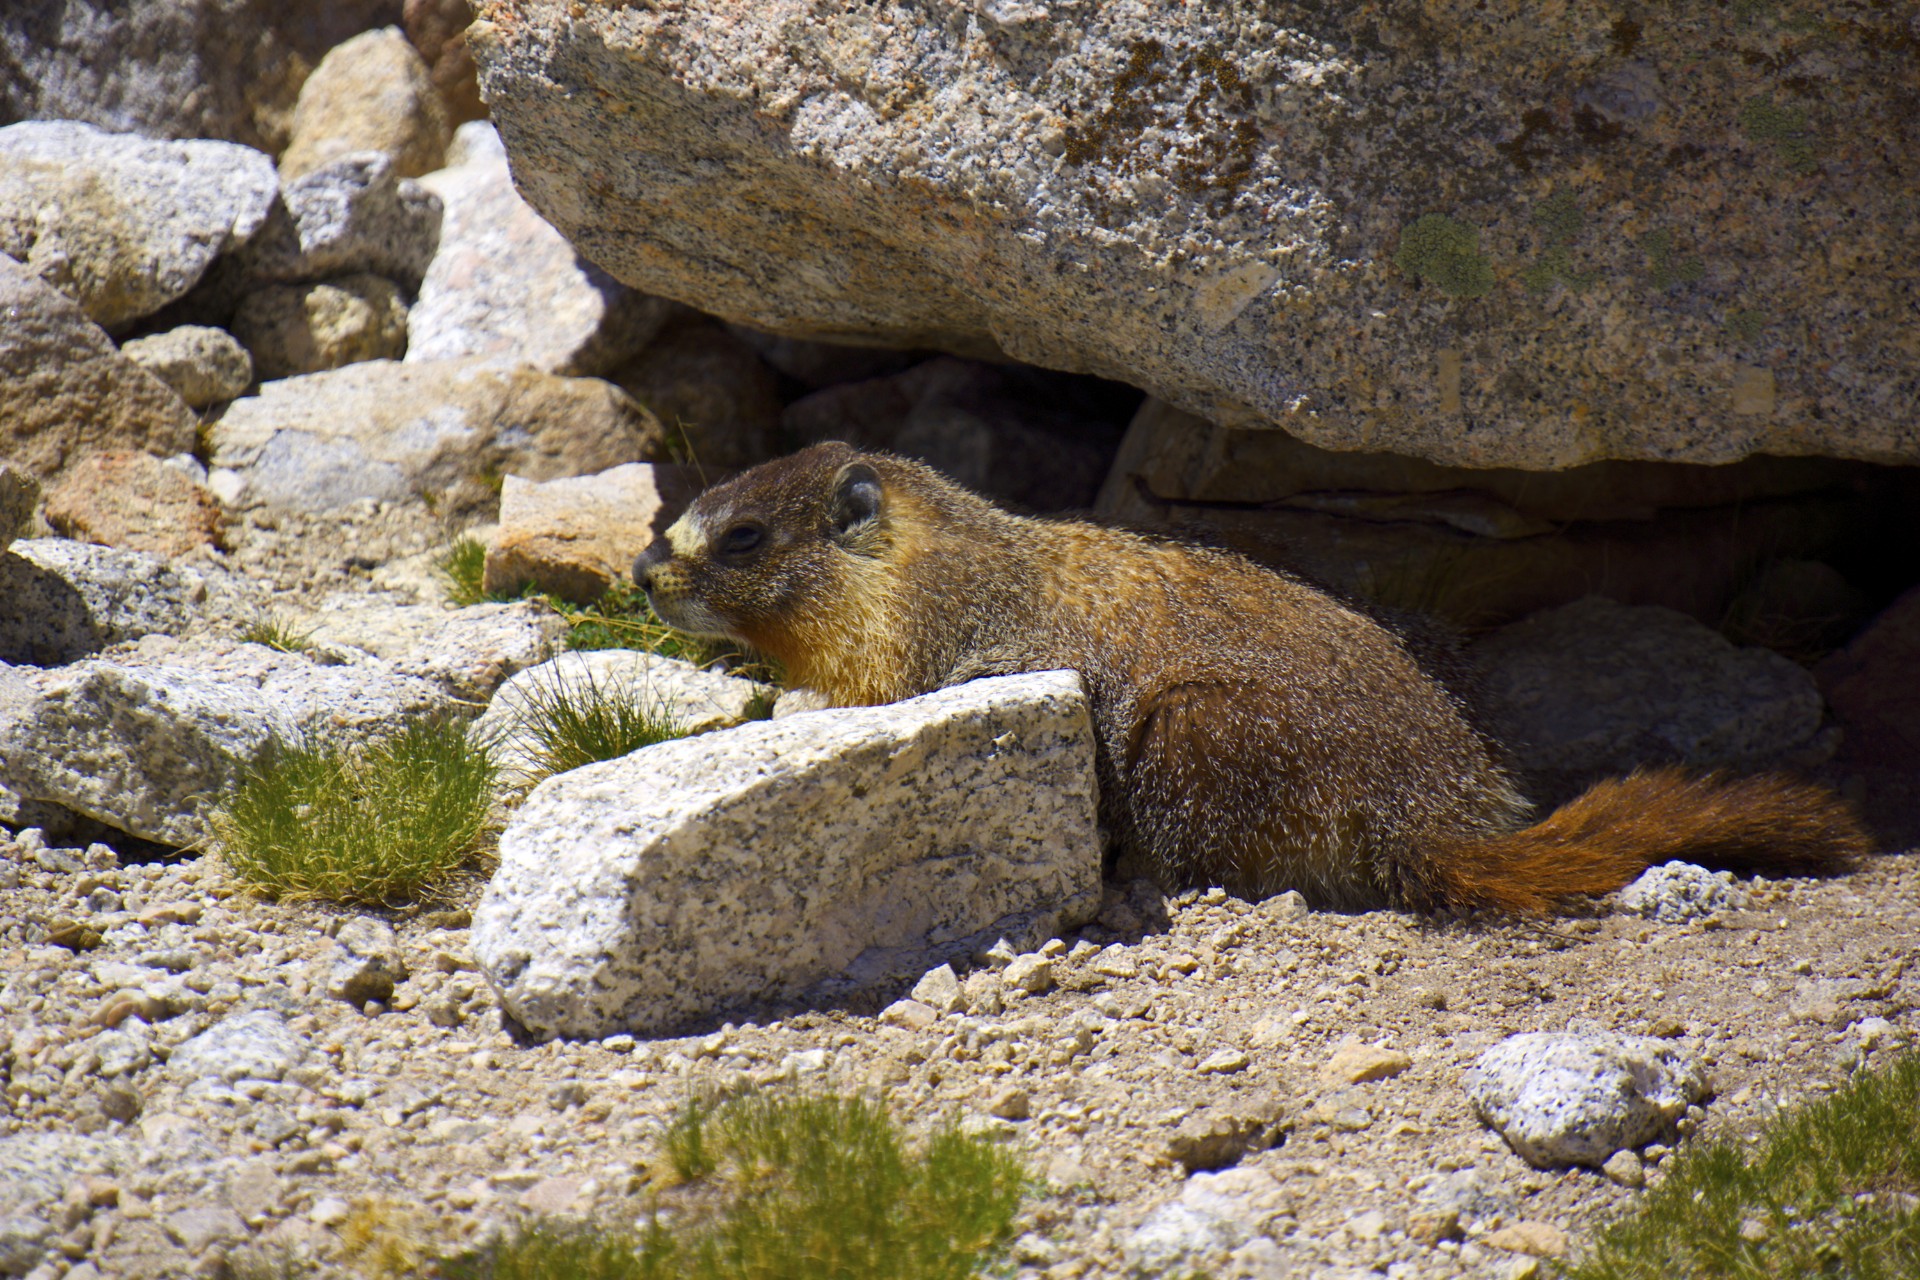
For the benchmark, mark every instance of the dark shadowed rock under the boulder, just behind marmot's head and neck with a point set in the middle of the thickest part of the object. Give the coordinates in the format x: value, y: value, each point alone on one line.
x: 1019, y: 435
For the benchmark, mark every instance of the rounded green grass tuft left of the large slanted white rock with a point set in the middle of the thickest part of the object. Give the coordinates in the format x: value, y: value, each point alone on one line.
x: 373, y: 824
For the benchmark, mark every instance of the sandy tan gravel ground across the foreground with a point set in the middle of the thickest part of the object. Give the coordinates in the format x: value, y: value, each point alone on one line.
x: 1147, y: 1033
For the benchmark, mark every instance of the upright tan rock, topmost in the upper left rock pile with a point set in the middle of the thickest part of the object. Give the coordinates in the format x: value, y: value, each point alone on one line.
x: 370, y: 95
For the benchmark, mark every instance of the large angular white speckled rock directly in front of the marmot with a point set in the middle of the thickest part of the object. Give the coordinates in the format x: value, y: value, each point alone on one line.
x: 832, y: 849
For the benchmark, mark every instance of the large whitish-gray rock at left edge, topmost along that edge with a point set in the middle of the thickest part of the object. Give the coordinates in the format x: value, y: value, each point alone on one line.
x: 124, y: 225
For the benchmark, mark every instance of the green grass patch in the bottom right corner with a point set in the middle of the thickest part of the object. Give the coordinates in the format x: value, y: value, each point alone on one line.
x: 1831, y: 1191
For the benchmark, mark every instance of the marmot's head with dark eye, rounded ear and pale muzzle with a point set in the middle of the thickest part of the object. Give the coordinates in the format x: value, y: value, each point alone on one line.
x: 773, y: 556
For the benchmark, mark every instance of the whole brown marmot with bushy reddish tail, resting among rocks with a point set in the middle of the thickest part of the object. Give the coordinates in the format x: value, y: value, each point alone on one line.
x: 1253, y: 730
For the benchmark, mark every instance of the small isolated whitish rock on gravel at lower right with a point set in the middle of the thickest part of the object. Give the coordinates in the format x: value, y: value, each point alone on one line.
x: 1575, y: 1099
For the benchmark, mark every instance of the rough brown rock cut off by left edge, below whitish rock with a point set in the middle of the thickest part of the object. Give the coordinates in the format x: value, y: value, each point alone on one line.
x: 68, y: 391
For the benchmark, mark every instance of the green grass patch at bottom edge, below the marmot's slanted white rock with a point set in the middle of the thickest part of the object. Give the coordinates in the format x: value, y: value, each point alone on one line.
x: 811, y: 1189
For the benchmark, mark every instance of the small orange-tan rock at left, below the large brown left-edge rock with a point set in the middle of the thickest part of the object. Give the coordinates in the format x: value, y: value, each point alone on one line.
x: 133, y: 502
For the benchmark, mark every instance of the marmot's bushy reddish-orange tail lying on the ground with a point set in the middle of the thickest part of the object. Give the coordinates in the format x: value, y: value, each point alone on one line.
x: 1616, y: 830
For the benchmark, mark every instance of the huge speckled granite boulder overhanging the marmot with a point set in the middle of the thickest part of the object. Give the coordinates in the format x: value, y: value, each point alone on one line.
x: 1474, y: 231
